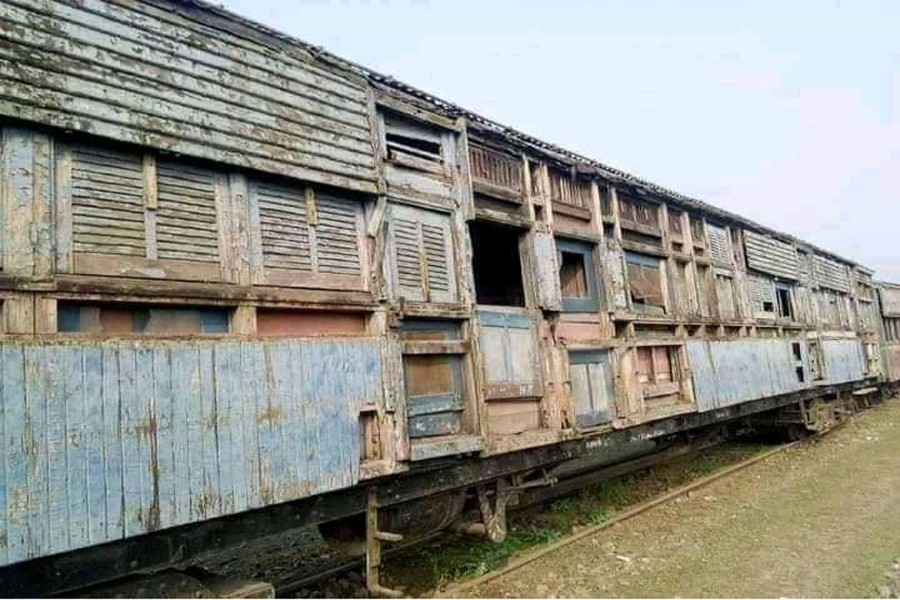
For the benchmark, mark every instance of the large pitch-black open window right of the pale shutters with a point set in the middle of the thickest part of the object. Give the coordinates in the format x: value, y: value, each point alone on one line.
x: 496, y: 264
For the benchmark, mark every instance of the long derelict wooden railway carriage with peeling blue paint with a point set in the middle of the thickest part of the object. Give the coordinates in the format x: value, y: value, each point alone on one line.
x: 242, y: 278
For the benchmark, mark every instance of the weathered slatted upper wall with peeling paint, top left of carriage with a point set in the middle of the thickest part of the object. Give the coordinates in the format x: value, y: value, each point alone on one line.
x: 140, y: 73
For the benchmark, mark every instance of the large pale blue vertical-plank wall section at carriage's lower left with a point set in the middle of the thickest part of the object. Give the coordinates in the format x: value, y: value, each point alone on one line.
x: 109, y: 440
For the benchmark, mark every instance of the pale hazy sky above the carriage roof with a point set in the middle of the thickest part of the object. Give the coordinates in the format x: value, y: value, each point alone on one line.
x: 785, y: 112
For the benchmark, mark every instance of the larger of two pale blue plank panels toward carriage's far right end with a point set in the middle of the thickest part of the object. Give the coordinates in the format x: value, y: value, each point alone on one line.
x: 728, y: 372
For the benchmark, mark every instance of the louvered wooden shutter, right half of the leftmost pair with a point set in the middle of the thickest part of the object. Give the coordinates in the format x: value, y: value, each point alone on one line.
x: 187, y: 223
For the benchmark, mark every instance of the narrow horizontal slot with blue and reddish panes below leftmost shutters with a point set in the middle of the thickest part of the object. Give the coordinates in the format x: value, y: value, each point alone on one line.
x: 114, y: 319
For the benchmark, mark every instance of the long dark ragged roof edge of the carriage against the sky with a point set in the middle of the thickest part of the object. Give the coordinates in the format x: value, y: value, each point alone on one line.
x: 452, y: 110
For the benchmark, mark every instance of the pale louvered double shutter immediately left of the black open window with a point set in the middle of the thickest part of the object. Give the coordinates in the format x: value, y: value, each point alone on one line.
x: 421, y: 255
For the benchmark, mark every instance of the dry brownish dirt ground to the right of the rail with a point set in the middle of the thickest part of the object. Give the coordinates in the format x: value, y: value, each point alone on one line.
x: 820, y: 520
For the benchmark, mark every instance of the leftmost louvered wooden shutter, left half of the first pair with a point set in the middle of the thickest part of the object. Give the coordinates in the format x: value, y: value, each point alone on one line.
x: 107, y: 202
